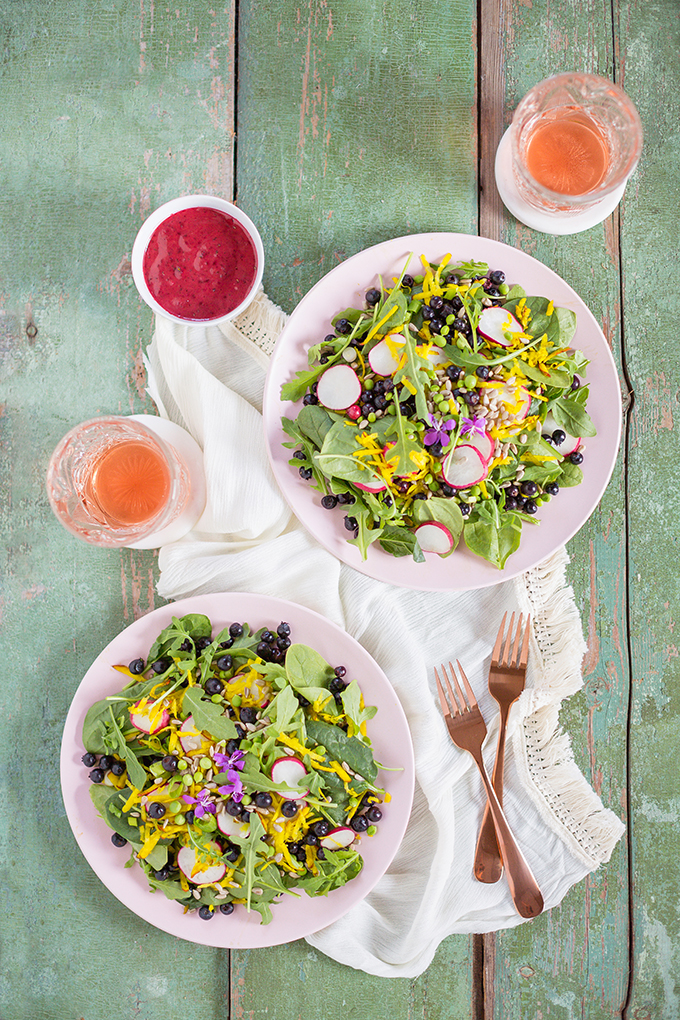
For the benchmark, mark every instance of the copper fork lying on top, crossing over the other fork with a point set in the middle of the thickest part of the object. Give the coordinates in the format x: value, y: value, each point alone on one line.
x: 468, y: 730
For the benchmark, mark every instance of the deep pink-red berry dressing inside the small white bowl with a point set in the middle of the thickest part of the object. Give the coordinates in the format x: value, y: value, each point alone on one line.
x: 200, y: 264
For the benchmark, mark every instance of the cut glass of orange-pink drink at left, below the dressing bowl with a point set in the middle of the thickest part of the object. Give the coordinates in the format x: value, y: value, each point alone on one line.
x: 114, y: 482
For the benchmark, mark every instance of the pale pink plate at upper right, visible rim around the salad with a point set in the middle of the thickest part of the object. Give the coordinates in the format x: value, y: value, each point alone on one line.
x: 345, y: 287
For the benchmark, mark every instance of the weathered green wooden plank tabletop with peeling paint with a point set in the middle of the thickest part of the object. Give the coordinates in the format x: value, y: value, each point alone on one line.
x: 337, y: 125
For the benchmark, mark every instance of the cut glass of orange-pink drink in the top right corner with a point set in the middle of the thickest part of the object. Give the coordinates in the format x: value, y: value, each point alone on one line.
x: 576, y: 139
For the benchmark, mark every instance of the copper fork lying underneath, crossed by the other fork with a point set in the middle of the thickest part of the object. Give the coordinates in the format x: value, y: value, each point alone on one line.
x: 506, y: 683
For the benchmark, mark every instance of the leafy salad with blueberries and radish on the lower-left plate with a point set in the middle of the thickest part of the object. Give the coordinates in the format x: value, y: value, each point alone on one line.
x: 237, y: 768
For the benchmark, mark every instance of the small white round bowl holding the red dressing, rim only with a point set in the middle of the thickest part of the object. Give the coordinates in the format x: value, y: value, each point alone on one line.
x: 178, y: 206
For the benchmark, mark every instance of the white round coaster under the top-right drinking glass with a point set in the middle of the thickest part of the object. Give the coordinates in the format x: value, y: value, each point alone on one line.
x: 547, y: 223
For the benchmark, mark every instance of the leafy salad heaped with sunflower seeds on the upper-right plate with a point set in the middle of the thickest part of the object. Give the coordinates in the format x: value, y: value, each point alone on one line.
x: 451, y: 406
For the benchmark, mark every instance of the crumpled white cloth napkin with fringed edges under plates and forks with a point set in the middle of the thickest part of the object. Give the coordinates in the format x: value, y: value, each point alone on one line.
x: 211, y: 382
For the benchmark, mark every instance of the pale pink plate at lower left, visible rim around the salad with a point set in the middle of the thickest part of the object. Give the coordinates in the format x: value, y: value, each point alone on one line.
x: 294, y: 917
